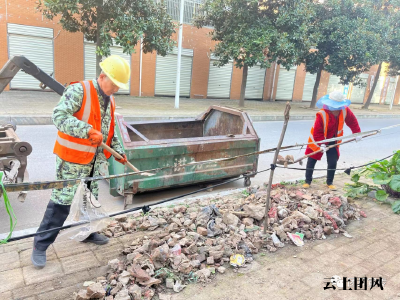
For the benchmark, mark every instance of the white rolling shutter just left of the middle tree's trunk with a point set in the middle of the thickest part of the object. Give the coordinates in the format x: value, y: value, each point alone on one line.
x: 219, y: 81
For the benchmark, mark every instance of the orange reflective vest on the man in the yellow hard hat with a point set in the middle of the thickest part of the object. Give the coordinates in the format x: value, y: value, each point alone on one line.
x: 81, y: 151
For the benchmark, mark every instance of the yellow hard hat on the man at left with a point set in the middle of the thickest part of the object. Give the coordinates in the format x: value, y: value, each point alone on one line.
x: 117, y: 69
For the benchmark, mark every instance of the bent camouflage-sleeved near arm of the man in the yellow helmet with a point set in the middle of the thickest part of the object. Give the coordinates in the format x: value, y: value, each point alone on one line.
x: 70, y: 103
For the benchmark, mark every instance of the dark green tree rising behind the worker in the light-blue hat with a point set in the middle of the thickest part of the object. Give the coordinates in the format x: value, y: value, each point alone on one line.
x: 350, y: 41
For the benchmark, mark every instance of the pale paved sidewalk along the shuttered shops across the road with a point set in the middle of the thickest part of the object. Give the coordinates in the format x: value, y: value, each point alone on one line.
x: 35, y: 108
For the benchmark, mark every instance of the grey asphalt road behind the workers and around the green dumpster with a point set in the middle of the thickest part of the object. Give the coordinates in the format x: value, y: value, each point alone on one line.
x: 41, y: 165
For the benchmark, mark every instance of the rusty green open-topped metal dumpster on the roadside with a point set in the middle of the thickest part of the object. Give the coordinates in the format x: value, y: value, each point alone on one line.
x: 220, y: 132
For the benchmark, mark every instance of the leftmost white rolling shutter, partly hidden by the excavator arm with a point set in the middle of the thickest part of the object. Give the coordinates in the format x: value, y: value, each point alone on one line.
x: 36, y: 44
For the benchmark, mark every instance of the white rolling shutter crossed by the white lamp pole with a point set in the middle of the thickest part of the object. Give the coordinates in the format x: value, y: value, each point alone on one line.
x: 166, y: 67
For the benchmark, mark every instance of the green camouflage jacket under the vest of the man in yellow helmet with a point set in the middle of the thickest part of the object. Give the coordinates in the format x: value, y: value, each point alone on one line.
x: 70, y: 103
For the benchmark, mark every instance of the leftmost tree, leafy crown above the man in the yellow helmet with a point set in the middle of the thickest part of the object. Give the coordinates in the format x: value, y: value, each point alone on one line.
x: 125, y: 21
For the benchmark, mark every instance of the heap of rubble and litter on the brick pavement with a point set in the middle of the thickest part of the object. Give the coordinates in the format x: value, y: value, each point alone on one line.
x: 195, y: 241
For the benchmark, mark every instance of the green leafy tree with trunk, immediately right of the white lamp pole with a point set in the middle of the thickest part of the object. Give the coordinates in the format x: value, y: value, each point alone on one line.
x: 258, y: 32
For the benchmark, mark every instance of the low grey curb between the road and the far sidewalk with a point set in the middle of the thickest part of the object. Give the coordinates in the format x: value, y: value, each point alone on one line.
x: 46, y: 119
